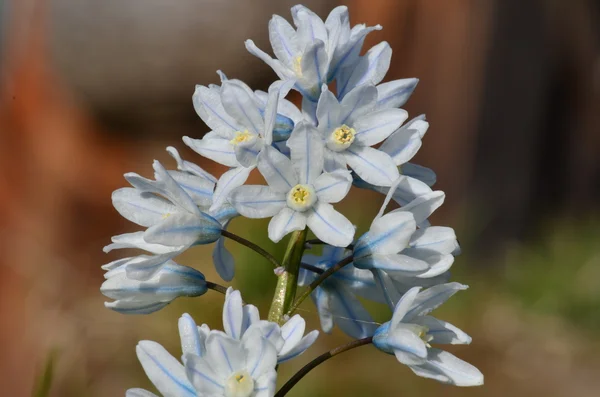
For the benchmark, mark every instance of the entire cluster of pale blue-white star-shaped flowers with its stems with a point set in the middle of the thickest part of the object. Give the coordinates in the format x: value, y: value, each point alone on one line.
x: 310, y: 157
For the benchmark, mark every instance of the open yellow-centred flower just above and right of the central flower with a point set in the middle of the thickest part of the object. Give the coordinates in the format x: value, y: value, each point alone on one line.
x: 351, y: 127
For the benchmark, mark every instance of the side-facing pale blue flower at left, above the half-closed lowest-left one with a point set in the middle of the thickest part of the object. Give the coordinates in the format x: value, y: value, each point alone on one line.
x: 170, y: 209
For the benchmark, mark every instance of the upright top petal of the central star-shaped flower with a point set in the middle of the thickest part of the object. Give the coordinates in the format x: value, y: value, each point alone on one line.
x: 306, y: 150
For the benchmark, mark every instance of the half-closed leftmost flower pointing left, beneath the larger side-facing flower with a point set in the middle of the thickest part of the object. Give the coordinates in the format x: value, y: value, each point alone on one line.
x: 144, y: 297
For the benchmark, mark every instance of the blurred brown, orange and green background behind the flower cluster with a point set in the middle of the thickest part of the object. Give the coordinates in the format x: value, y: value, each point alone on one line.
x: 92, y: 89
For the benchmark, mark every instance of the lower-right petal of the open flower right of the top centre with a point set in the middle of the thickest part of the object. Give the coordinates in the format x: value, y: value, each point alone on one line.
x: 372, y: 165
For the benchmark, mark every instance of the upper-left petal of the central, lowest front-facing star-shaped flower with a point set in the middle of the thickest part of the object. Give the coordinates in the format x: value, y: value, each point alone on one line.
x: 277, y: 170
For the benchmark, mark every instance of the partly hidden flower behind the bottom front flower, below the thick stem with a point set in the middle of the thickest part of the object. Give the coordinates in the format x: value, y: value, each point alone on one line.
x: 242, y: 321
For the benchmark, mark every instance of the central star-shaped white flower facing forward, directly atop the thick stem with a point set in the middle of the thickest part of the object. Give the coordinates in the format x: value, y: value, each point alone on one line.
x: 299, y: 194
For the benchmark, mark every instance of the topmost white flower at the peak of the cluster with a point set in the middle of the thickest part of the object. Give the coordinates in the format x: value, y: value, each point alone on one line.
x: 315, y: 52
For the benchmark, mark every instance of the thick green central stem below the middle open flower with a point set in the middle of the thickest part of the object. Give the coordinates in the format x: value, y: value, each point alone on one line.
x: 287, y: 280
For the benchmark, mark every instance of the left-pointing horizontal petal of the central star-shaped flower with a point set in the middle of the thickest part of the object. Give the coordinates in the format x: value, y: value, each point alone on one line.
x: 253, y: 201
